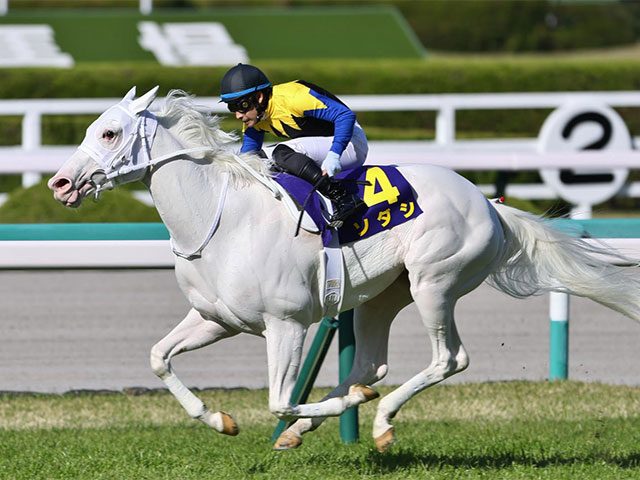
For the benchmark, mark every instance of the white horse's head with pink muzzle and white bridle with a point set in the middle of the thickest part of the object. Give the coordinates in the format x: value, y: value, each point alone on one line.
x: 115, y: 150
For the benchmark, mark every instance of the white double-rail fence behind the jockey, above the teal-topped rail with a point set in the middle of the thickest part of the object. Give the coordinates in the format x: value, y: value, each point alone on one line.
x: 33, y: 158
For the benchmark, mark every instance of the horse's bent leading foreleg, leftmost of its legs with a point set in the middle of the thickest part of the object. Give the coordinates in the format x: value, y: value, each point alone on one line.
x: 192, y: 333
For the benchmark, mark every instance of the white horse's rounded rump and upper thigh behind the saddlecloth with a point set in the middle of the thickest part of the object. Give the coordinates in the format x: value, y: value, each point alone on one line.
x: 457, y: 240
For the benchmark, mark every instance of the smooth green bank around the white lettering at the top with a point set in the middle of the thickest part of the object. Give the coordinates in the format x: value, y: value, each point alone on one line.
x: 266, y: 33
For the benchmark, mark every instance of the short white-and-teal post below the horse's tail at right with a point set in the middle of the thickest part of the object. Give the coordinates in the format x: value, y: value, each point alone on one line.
x: 559, y: 336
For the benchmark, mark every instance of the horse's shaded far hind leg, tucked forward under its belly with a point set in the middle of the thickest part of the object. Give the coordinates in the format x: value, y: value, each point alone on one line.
x: 372, y: 321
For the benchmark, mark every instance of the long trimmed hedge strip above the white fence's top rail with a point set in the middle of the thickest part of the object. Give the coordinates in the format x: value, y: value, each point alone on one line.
x: 342, y: 77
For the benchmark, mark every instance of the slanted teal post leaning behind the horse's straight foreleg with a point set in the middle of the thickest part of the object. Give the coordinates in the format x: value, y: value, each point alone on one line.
x: 310, y: 368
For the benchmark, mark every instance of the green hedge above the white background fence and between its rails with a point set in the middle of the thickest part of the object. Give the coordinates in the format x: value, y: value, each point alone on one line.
x: 341, y: 77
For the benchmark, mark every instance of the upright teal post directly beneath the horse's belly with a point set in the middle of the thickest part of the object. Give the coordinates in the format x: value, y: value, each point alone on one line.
x: 347, y: 346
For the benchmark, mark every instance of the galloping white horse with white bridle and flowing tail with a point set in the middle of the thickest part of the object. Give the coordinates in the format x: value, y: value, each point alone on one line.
x: 242, y: 269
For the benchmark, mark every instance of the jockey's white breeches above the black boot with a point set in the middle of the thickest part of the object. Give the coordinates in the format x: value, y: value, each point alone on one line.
x: 317, y: 148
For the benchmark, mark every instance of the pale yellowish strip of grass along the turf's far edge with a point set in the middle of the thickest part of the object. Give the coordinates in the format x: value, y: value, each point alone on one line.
x: 566, y: 401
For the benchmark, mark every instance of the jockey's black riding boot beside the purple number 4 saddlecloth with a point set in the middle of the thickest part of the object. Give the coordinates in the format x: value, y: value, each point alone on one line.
x: 346, y: 204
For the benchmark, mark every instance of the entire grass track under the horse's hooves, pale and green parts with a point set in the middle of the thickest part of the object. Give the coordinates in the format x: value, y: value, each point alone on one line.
x: 512, y: 430
